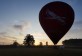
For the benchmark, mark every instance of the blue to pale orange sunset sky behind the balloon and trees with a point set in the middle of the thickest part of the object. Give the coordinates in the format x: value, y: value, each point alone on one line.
x: 21, y: 17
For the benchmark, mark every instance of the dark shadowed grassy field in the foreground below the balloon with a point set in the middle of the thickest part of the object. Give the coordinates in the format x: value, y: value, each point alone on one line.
x: 40, y: 51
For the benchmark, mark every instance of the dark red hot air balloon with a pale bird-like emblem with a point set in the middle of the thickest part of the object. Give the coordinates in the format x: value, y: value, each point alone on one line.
x: 56, y: 18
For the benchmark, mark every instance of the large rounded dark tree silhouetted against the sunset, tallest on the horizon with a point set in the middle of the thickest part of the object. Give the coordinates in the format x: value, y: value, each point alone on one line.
x: 29, y: 40
